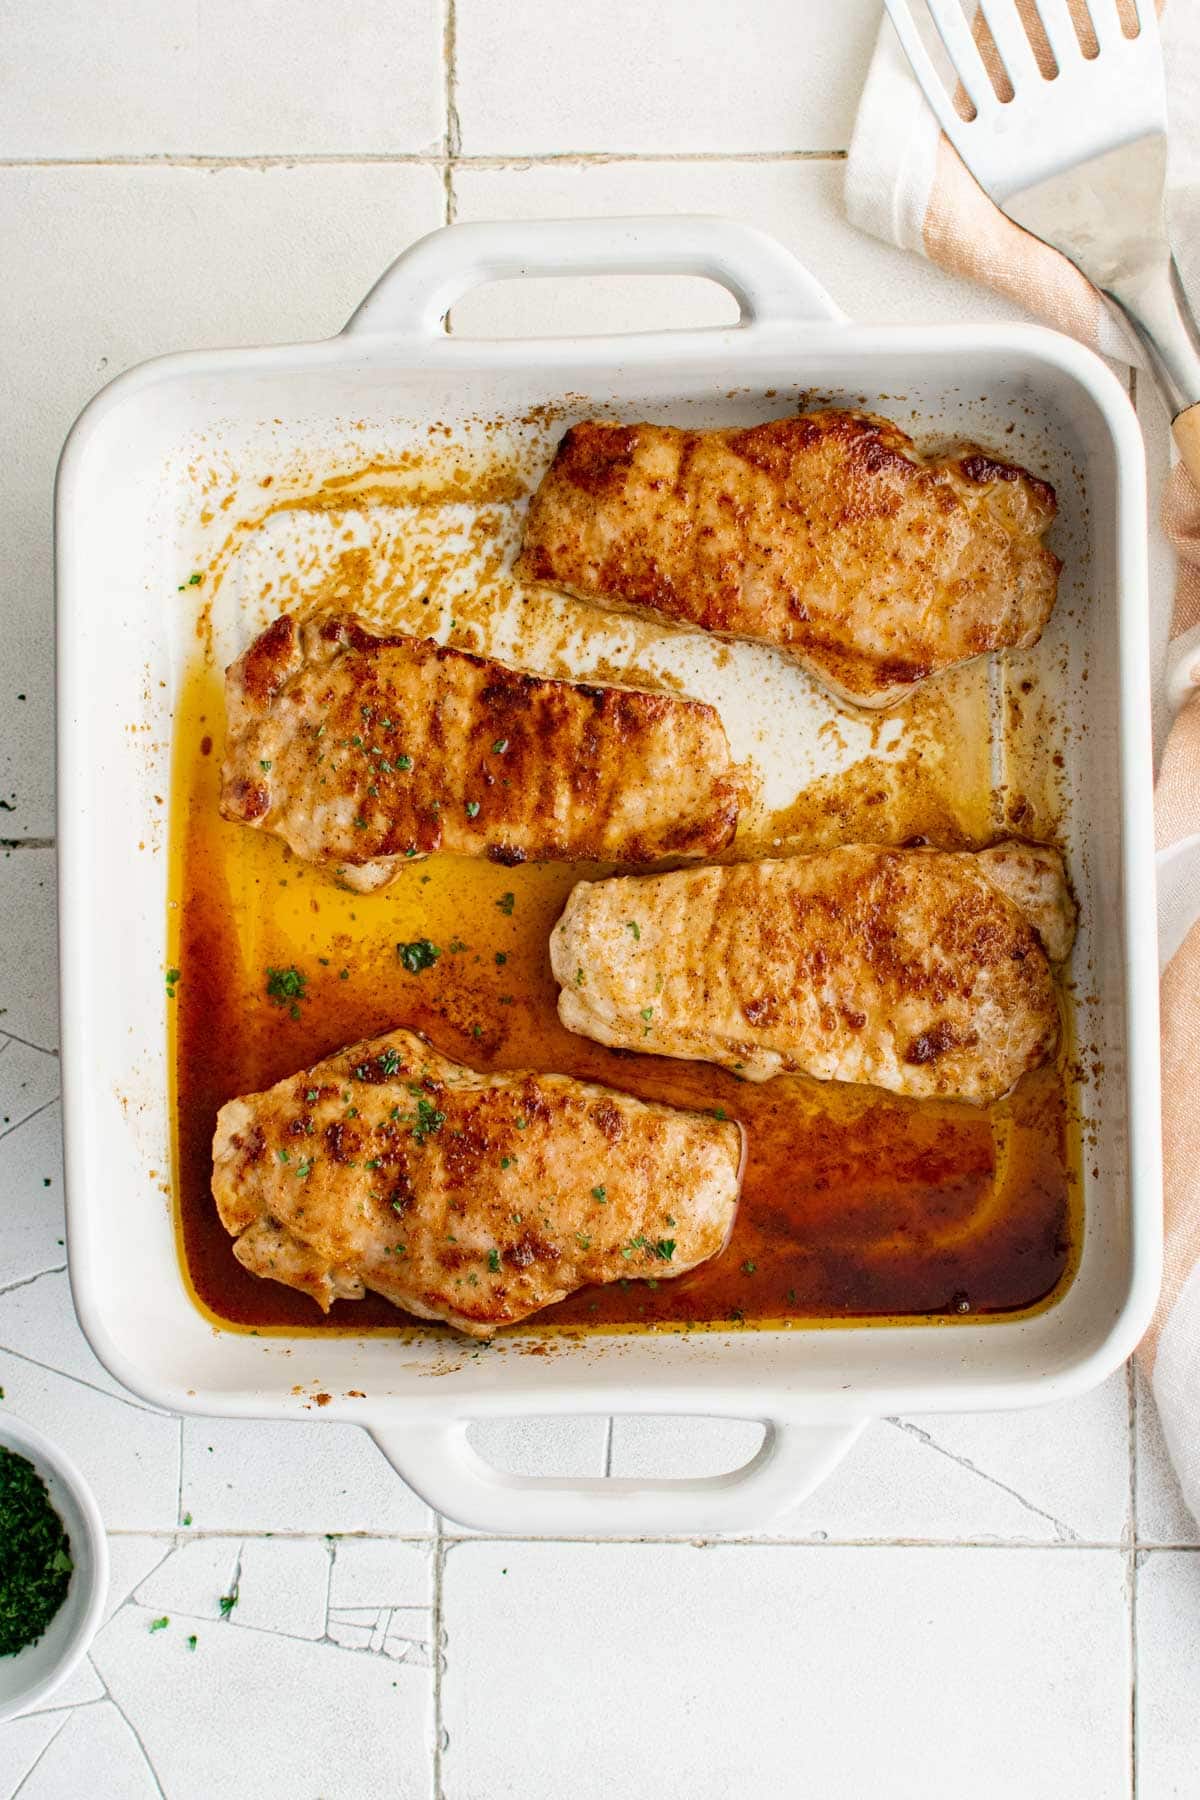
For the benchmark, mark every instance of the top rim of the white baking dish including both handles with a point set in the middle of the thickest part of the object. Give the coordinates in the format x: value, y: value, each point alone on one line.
x: 402, y: 321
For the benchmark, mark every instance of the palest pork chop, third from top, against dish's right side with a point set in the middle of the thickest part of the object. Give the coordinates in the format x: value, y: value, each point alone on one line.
x: 922, y: 971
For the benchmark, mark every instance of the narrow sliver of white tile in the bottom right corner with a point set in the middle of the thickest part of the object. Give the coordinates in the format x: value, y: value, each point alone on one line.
x: 1169, y: 1675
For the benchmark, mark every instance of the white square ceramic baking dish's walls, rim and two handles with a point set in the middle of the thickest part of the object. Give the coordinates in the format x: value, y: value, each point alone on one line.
x: 125, y: 514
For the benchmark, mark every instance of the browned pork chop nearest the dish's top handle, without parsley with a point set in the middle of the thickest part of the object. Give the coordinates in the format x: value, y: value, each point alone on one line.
x: 823, y: 534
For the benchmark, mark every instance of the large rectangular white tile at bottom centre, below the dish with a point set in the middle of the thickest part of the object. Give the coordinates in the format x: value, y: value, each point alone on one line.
x: 755, y: 1669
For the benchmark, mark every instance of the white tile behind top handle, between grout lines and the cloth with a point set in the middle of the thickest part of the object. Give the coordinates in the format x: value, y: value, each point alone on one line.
x: 800, y: 202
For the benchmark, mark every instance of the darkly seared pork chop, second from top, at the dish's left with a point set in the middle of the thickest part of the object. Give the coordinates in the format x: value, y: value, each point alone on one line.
x: 366, y: 751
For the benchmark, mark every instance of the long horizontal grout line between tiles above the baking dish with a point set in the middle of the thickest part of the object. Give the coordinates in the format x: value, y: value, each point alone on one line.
x: 424, y: 159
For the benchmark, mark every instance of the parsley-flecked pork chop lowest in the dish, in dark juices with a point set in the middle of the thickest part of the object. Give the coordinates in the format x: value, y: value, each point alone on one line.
x: 460, y: 1196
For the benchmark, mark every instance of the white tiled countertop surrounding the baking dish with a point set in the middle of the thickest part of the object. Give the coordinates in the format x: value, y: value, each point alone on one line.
x: 631, y: 1669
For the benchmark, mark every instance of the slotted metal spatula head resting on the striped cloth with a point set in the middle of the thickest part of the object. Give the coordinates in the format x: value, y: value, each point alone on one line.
x: 1059, y: 111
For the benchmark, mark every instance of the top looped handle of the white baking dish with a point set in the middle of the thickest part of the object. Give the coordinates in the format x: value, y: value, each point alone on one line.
x: 415, y: 296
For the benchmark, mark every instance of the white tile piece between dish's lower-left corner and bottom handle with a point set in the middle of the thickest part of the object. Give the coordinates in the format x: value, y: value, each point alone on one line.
x: 249, y: 1475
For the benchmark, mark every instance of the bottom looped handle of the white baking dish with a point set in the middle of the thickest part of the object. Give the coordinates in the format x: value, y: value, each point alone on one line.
x: 449, y: 1473
